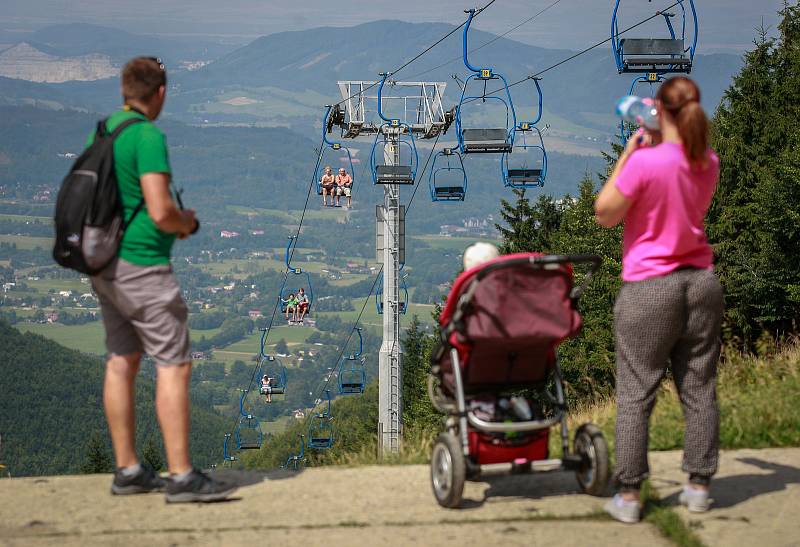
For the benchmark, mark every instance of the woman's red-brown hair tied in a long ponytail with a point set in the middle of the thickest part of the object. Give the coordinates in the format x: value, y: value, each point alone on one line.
x: 680, y: 97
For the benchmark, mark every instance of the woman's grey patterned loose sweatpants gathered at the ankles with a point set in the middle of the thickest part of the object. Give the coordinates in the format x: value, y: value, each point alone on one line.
x: 672, y: 320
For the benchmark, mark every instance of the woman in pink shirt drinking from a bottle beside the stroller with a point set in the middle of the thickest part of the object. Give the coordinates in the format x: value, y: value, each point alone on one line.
x: 669, y: 309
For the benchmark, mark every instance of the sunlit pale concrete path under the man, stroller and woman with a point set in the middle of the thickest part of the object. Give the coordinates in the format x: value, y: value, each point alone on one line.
x: 394, y: 506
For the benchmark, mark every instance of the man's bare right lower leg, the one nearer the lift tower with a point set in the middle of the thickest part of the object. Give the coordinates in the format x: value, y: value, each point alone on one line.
x: 172, y: 407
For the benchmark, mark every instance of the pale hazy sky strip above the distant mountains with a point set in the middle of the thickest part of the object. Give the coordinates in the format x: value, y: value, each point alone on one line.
x: 725, y: 25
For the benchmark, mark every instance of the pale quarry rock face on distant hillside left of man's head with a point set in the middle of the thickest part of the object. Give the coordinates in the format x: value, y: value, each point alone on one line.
x: 25, y: 62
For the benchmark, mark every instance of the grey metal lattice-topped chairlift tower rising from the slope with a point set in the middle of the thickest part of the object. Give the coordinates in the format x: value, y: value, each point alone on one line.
x: 416, y: 110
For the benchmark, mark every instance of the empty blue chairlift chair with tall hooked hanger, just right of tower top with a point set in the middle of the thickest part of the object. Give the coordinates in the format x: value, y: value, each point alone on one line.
x: 499, y: 138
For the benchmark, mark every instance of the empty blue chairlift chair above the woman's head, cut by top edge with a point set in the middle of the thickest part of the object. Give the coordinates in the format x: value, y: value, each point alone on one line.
x: 658, y: 55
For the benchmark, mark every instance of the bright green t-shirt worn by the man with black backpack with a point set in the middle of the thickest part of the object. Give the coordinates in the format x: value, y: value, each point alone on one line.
x: 139, y: 149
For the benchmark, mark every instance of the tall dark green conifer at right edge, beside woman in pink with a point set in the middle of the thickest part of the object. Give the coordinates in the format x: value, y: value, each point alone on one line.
x: 753, y: 221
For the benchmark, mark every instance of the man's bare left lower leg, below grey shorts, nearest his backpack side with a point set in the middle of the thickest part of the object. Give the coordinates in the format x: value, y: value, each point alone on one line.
x: 120, y: 406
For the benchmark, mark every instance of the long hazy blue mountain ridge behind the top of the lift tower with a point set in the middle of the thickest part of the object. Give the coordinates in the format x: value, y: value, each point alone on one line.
x: 315, y: 59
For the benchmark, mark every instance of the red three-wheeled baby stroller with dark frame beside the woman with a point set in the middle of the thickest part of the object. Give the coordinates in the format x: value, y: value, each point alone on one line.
x: 496, y: 376
